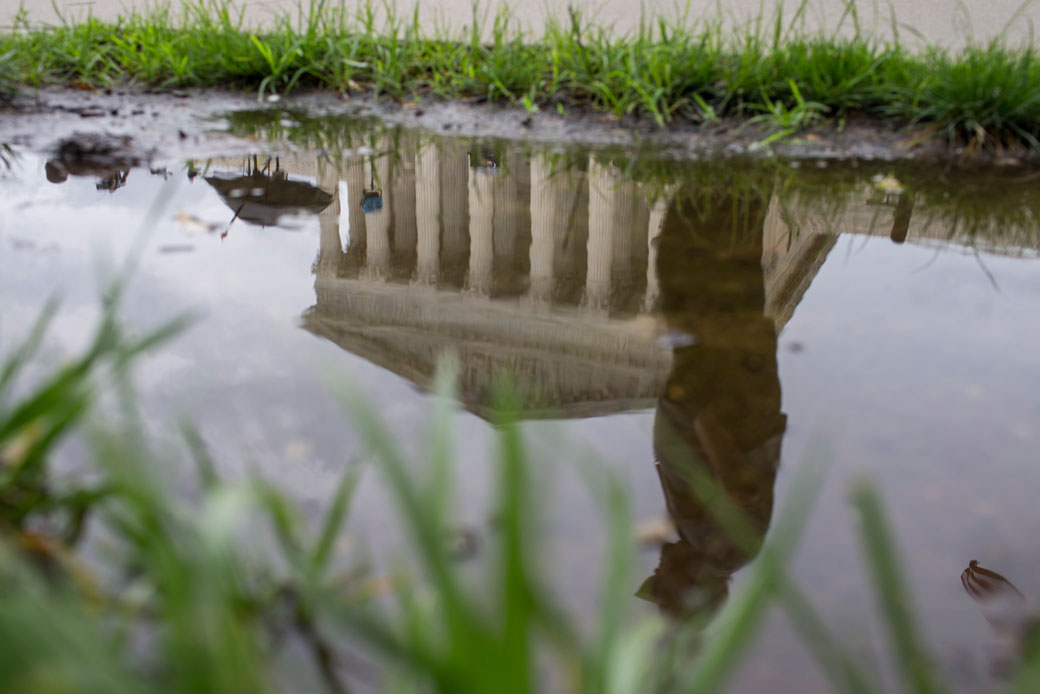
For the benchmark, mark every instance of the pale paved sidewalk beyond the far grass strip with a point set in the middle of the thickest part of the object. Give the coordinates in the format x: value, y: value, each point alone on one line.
x: 943, y: 22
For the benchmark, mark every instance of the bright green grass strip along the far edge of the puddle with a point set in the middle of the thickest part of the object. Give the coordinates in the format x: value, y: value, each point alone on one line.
x: 985, y: 95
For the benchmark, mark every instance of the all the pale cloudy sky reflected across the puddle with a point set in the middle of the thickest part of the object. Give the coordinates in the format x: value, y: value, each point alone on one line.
x: 917, y: 370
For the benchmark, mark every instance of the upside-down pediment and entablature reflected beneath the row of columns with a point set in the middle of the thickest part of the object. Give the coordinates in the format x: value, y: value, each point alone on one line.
x: 566, y: 363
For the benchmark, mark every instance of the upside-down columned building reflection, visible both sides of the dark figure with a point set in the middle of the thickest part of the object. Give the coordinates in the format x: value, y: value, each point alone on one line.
x: 542, y: 268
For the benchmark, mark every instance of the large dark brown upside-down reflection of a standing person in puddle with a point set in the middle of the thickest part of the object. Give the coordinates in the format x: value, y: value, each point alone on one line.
x: 720, y: 414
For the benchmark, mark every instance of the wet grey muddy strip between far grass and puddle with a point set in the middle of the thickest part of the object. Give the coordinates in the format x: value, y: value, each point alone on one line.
x: 150, y: 127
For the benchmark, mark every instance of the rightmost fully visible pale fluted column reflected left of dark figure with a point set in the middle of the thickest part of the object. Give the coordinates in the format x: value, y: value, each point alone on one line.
x: 604, y: 185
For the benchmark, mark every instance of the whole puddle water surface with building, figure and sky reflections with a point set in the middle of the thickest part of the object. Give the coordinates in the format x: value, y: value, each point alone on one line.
x: 653, y: 314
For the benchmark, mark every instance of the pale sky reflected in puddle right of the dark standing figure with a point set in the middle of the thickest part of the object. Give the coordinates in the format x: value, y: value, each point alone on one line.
x: 921, y: 376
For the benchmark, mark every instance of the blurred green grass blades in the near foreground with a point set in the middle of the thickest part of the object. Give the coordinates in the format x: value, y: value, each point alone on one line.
x: 224, y: 588
